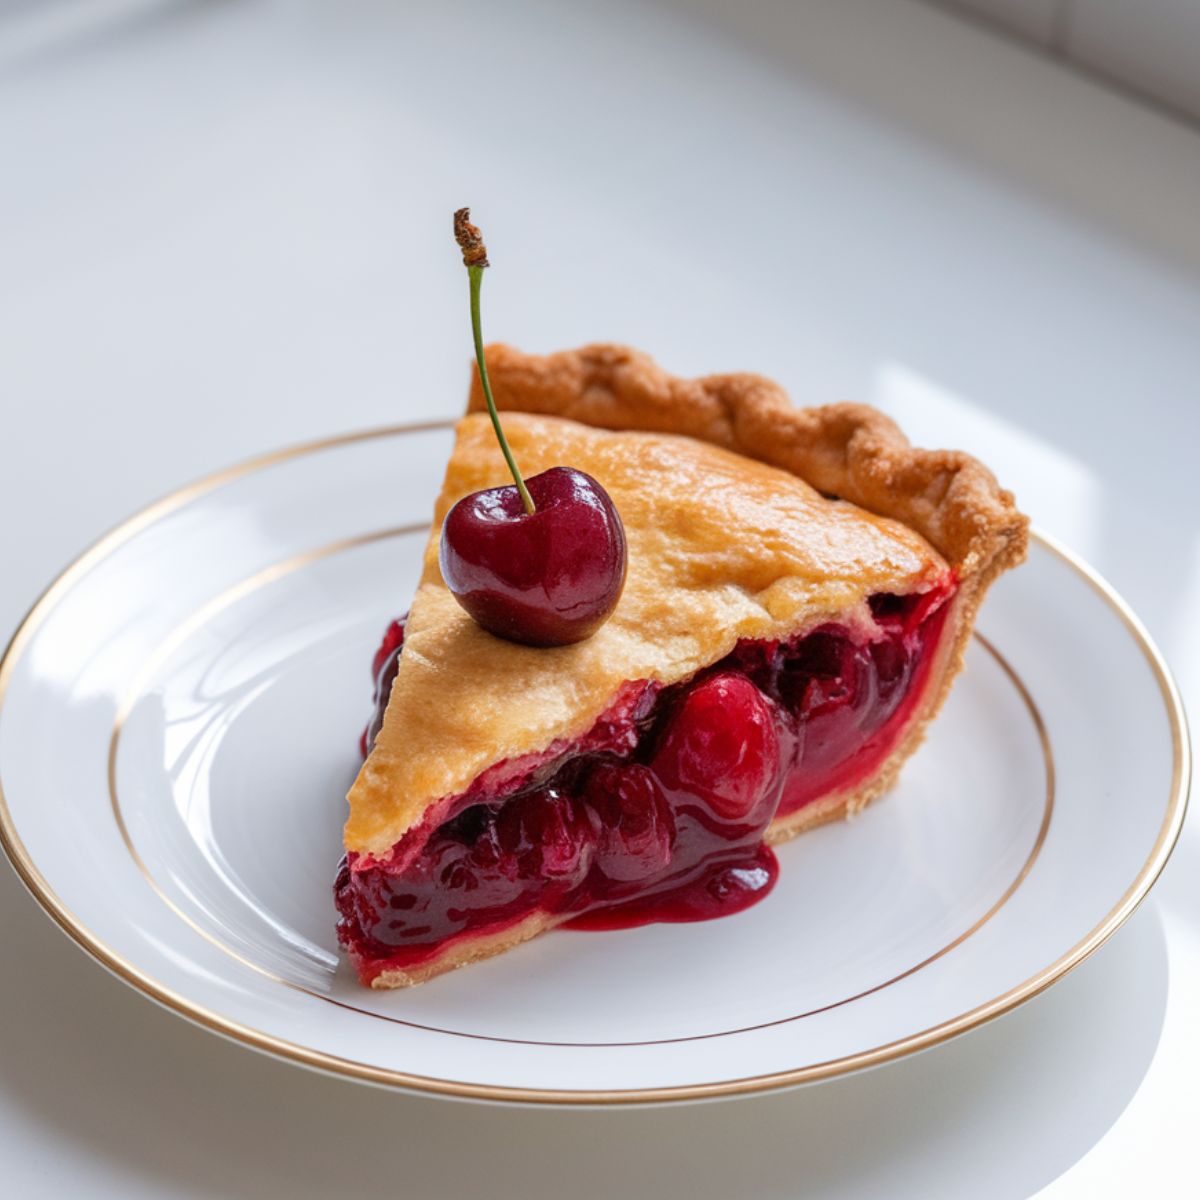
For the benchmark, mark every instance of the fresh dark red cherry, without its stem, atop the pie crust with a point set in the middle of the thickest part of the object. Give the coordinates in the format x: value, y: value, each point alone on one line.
x: 548, y: 578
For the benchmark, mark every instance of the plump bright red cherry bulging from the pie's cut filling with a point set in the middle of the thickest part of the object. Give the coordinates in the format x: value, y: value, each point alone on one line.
x: 722, y: 747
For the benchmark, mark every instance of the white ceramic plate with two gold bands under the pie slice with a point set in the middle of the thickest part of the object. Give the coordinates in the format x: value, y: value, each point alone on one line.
x: 181, y: 715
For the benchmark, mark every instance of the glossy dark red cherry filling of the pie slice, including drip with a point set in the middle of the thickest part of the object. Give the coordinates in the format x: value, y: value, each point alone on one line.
x: 659, y: 812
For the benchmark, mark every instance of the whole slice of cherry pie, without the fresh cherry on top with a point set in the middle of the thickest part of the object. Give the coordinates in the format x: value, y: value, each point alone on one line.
x: 801, y: 589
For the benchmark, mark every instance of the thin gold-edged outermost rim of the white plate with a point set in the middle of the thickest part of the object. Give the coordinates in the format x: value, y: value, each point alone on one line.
x: 77, y: 931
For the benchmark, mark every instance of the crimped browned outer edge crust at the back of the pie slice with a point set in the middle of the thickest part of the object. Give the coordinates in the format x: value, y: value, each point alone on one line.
x: 847, y: 451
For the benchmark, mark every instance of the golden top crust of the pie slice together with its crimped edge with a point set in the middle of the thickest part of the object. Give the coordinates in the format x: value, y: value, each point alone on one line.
x: 939, y: 507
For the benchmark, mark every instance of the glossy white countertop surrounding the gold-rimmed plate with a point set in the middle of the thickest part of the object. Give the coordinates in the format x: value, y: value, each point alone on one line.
x: 225, y: 227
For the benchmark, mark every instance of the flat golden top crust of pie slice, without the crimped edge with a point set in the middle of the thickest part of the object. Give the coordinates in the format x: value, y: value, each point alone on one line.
x: 722, y: 548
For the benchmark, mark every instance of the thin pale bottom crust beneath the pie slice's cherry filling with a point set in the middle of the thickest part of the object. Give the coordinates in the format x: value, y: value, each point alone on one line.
x: 831, y: 808
